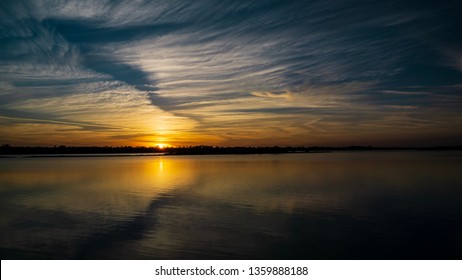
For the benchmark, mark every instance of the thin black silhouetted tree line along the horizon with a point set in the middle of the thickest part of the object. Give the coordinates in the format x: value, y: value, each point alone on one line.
x: 195, y: 150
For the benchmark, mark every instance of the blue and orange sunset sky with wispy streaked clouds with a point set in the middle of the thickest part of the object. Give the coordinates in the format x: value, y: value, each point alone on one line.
x: 231, y: 72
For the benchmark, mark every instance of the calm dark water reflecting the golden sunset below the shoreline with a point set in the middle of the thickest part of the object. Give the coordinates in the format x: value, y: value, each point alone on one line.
x: 350, y: 205
